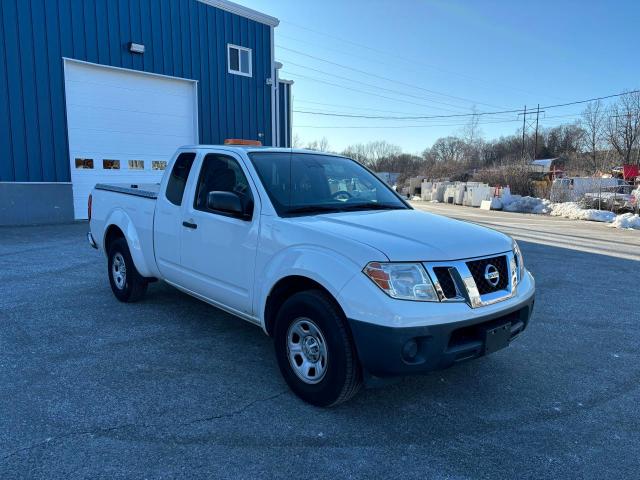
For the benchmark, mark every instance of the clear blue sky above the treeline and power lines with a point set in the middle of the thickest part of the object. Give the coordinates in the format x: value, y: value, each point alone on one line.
x: 443, y: 57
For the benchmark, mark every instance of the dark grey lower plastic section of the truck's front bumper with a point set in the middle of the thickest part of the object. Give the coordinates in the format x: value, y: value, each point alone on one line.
x: 389, y: 351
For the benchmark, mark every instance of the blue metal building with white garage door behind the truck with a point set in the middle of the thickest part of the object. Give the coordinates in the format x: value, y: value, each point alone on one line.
x: 95, y: 90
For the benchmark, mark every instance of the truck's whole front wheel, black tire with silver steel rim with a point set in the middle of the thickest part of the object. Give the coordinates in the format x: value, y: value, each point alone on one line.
x: 316, y: 329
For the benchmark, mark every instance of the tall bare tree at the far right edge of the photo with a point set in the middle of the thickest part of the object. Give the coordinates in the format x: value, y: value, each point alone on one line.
x: 623, y: 126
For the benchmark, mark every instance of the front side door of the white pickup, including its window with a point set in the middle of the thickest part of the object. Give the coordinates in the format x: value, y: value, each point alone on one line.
x: 218, y: 249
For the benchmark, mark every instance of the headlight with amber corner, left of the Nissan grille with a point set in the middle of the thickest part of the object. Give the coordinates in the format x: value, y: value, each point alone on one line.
x: 405, y: 281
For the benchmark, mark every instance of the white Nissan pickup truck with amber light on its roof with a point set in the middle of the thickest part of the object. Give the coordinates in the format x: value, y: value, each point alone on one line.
x: 350, y: 281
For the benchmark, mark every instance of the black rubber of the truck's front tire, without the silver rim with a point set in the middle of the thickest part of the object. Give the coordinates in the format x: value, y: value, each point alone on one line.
x: 311, y: 306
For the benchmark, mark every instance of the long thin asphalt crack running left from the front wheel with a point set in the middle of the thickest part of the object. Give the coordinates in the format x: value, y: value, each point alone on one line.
x: 102, y: 430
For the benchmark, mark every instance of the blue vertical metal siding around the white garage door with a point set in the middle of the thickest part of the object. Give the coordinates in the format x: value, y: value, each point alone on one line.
x: 183, y: 38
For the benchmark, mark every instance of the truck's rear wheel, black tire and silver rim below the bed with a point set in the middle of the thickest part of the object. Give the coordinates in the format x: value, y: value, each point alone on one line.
x: 126, y: 283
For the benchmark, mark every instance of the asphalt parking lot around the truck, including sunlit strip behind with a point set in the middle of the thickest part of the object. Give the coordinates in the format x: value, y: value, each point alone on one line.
x: 171, y: 387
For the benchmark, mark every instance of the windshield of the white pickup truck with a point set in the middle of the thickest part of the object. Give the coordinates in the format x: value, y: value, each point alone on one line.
x: 299, y: 183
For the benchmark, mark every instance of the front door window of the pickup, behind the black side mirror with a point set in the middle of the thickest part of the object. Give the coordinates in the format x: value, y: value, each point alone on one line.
x: 220, y: 173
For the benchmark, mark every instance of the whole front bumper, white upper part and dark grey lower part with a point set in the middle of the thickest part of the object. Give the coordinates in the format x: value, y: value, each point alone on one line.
x: 445, y: 335
